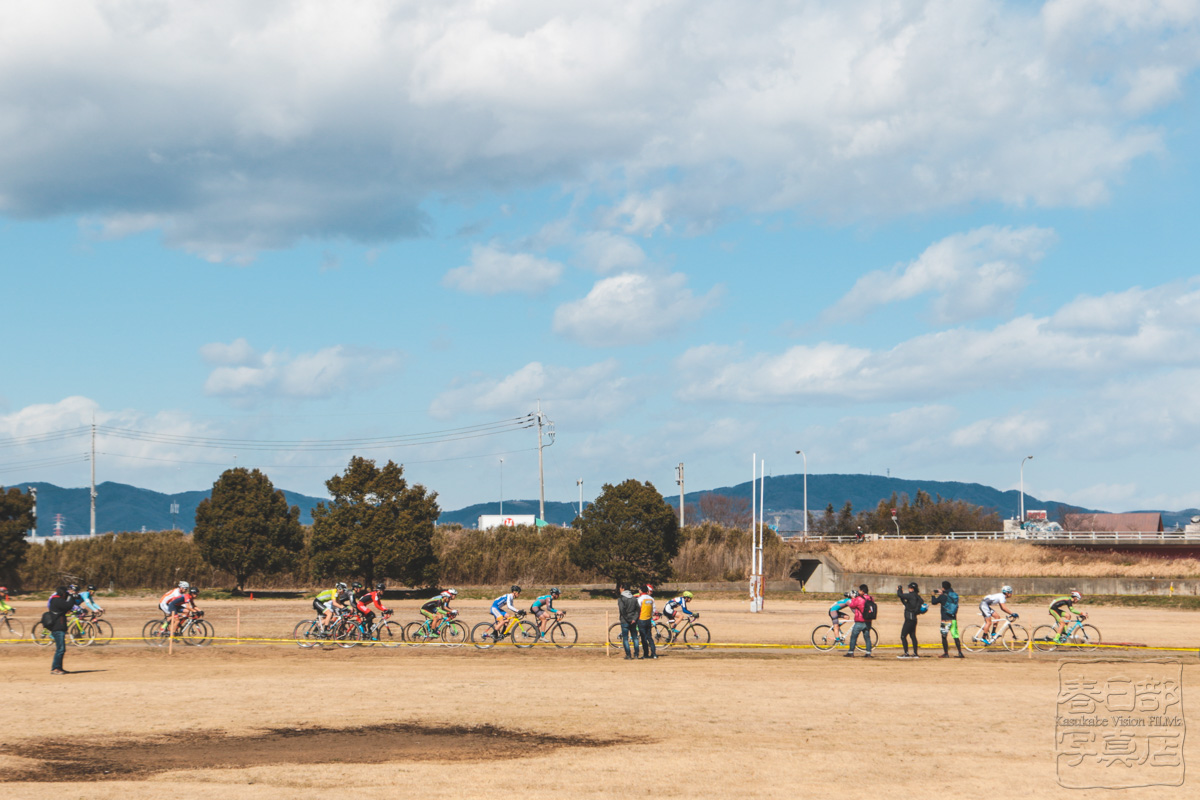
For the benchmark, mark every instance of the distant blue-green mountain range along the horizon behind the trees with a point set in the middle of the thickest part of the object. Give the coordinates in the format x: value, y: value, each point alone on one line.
x: 127, y: 508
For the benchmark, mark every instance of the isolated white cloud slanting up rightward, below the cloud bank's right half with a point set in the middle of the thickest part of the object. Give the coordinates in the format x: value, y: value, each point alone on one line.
x: 977, y: 274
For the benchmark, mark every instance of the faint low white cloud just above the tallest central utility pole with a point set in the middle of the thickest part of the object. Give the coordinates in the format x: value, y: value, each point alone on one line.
x: 589, y: 394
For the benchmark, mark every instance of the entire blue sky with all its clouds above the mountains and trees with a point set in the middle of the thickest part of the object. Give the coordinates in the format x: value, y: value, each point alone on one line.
x: 925, y: 238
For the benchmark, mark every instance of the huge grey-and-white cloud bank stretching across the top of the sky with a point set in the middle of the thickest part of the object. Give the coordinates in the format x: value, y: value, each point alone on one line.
x: 236, y: 128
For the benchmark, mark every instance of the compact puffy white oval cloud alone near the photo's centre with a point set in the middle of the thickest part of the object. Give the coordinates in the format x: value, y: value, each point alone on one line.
x: 632, y: 309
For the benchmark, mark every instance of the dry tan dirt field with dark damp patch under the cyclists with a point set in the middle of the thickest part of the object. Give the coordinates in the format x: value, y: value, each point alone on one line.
x: 266, y: 720
